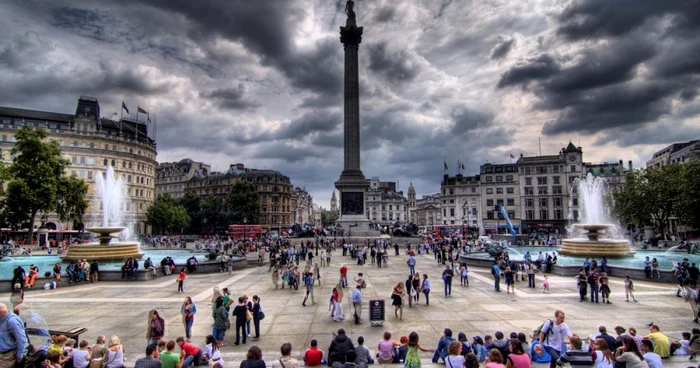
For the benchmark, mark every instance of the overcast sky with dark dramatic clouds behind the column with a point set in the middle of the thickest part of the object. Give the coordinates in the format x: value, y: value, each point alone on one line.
x: 260, y: 81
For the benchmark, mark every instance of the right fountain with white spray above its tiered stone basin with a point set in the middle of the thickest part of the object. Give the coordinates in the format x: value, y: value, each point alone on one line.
x: 594, y: 221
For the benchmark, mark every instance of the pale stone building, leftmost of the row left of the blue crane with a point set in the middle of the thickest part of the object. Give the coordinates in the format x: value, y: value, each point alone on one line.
x: 460, y: 201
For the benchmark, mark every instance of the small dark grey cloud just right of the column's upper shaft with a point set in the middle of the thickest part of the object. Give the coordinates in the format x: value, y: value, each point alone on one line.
x: 395, y: 66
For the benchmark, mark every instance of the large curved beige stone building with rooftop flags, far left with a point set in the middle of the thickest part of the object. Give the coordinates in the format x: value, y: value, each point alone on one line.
x: 92, y: 143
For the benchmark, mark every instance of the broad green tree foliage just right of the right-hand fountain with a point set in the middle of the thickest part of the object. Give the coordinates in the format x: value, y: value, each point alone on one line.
x: 651, y: 196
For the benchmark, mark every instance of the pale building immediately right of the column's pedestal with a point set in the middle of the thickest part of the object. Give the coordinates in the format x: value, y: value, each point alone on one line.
x: 385, y: 205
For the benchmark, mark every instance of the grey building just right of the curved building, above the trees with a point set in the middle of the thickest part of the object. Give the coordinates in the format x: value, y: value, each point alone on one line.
x: 171, y: 177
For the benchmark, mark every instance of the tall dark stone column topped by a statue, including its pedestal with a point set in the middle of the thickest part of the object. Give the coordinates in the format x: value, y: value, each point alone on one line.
x: 352, y: 185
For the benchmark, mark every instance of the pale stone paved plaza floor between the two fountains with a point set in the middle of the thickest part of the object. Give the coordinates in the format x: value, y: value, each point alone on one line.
x: 120, y: 308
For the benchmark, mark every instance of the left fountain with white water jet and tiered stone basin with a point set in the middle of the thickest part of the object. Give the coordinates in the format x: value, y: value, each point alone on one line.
x: 110, y: 189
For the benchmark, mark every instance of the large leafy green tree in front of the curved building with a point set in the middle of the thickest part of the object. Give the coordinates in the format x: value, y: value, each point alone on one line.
x: 37, y: 174
